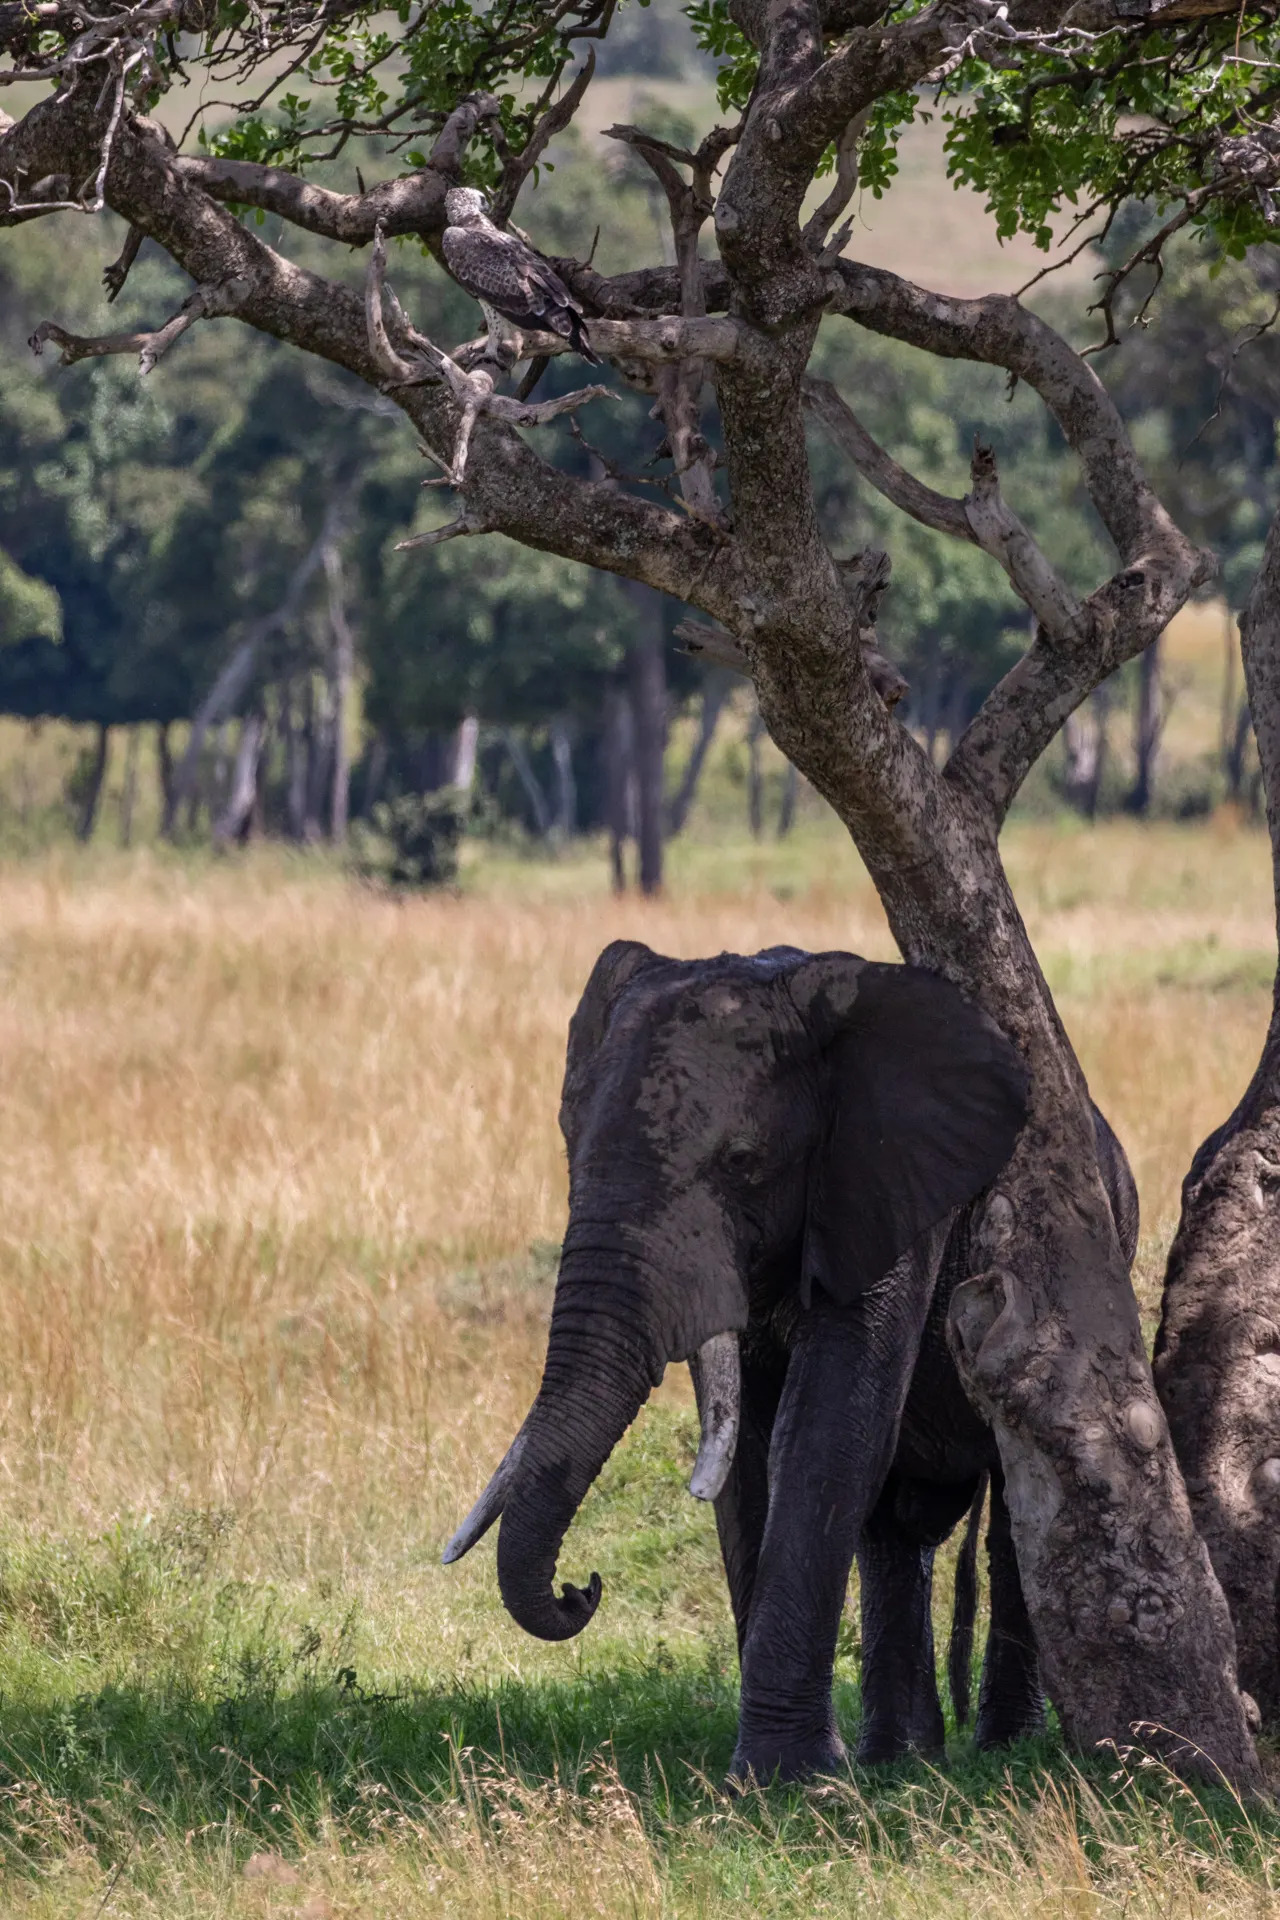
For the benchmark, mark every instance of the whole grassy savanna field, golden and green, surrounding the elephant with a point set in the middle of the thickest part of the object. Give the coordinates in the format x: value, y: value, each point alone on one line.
x: 283, y: 1191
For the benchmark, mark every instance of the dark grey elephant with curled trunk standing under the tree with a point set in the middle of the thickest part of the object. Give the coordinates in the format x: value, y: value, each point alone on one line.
x: 776, y: 1174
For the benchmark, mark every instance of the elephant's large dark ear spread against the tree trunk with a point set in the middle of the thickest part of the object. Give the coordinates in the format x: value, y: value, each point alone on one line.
x: 928, y: 1099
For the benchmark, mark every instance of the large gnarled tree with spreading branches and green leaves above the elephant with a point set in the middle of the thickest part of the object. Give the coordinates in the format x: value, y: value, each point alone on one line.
x: 1047, y: 103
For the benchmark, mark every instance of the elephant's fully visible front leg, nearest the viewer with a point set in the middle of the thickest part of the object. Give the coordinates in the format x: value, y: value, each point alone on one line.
x: 834, y: 1441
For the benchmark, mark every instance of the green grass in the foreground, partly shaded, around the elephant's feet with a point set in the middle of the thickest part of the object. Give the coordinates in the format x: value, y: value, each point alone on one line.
x: 160, y: 1706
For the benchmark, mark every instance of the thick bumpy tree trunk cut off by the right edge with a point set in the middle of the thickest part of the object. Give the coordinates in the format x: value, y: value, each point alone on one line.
x: 1218, y: 1356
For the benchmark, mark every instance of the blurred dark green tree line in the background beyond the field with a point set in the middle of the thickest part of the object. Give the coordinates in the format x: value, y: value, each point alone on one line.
x: 218, y: 554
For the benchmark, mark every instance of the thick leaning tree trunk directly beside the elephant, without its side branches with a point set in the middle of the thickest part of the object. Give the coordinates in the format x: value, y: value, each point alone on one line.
x: 1131, y: 1623
